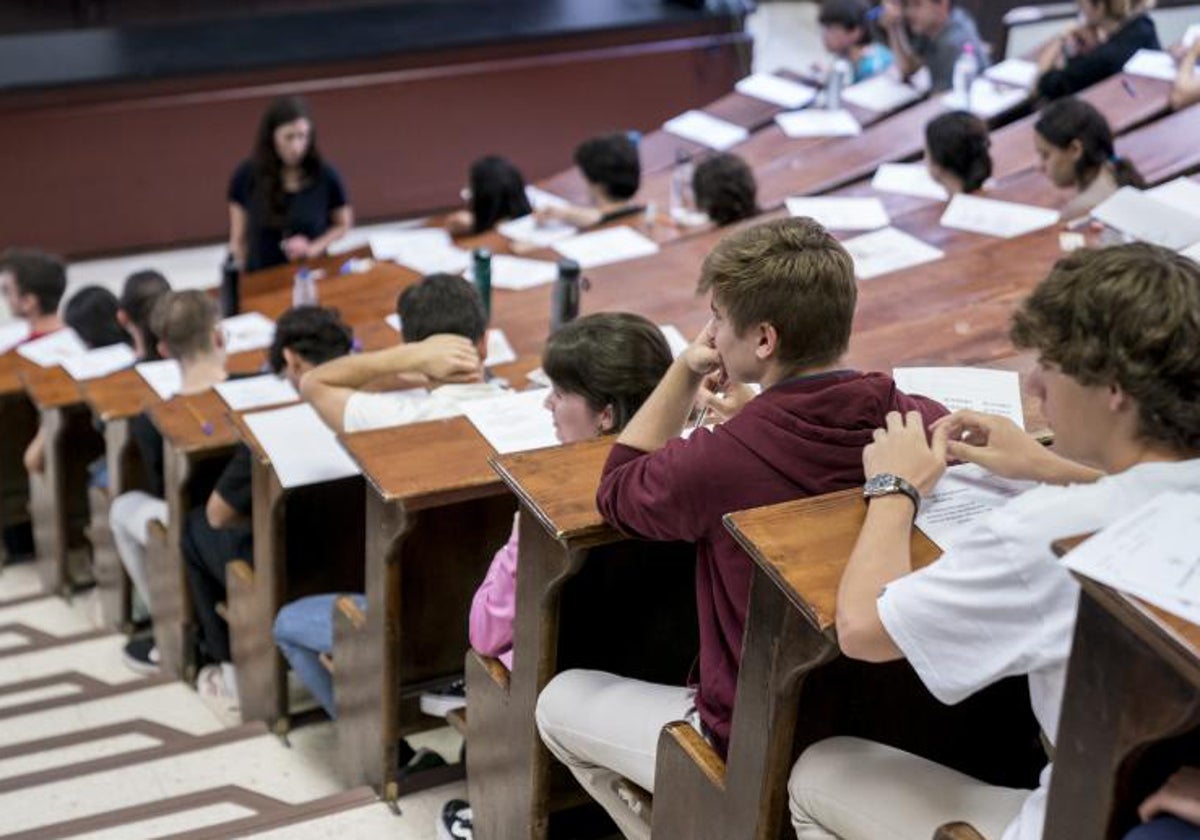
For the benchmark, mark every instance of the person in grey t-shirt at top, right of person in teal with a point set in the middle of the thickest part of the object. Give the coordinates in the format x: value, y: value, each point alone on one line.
x: 931, y: 34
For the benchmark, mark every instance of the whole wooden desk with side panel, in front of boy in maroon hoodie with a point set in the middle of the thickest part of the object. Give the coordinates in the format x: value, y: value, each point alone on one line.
x: 574, y: 568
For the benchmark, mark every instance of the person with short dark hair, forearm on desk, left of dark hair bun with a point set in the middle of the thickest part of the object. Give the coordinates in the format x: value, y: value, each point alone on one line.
x: 614, y: 172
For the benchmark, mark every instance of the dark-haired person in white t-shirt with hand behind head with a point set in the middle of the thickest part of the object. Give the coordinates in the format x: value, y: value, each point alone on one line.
x: 445, y: 332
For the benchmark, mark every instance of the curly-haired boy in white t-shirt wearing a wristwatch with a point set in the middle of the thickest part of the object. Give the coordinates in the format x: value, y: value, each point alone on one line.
x: 1117, y: 332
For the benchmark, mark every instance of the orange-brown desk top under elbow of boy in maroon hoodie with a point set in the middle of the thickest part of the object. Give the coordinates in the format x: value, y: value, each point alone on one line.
x: 560, y: 488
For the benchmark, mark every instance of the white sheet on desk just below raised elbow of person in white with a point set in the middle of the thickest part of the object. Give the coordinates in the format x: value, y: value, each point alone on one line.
x: 302, y: 448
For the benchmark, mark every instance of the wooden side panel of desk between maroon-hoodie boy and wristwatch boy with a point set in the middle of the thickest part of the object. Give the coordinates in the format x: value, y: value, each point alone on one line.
x: 695, y: 794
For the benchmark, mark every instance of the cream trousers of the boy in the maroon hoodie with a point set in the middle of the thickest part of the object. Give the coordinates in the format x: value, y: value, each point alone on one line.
x: 607, y: 729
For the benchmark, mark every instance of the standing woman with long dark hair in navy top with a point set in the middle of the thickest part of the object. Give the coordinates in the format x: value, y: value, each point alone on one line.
x: 285, y: 203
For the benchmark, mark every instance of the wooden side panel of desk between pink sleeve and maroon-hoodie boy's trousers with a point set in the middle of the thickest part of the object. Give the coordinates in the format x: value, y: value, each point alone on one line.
x: 508, y: 767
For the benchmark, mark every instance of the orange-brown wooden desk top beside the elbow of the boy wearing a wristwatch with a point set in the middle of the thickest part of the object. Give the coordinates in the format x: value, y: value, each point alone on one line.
x: 805, y: 547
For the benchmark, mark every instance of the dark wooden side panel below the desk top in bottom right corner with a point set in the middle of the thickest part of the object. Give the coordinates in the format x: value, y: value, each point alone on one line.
x: 1121, y: 698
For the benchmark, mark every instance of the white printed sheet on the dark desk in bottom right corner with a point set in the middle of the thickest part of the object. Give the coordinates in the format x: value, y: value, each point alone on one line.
x: 1154, y: 553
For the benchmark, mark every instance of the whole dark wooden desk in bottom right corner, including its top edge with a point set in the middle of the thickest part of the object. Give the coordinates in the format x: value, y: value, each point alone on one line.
x: 1131, y: 713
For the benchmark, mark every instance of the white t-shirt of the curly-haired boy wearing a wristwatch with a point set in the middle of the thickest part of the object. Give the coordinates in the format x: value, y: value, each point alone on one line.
x: 1000, y: 604
